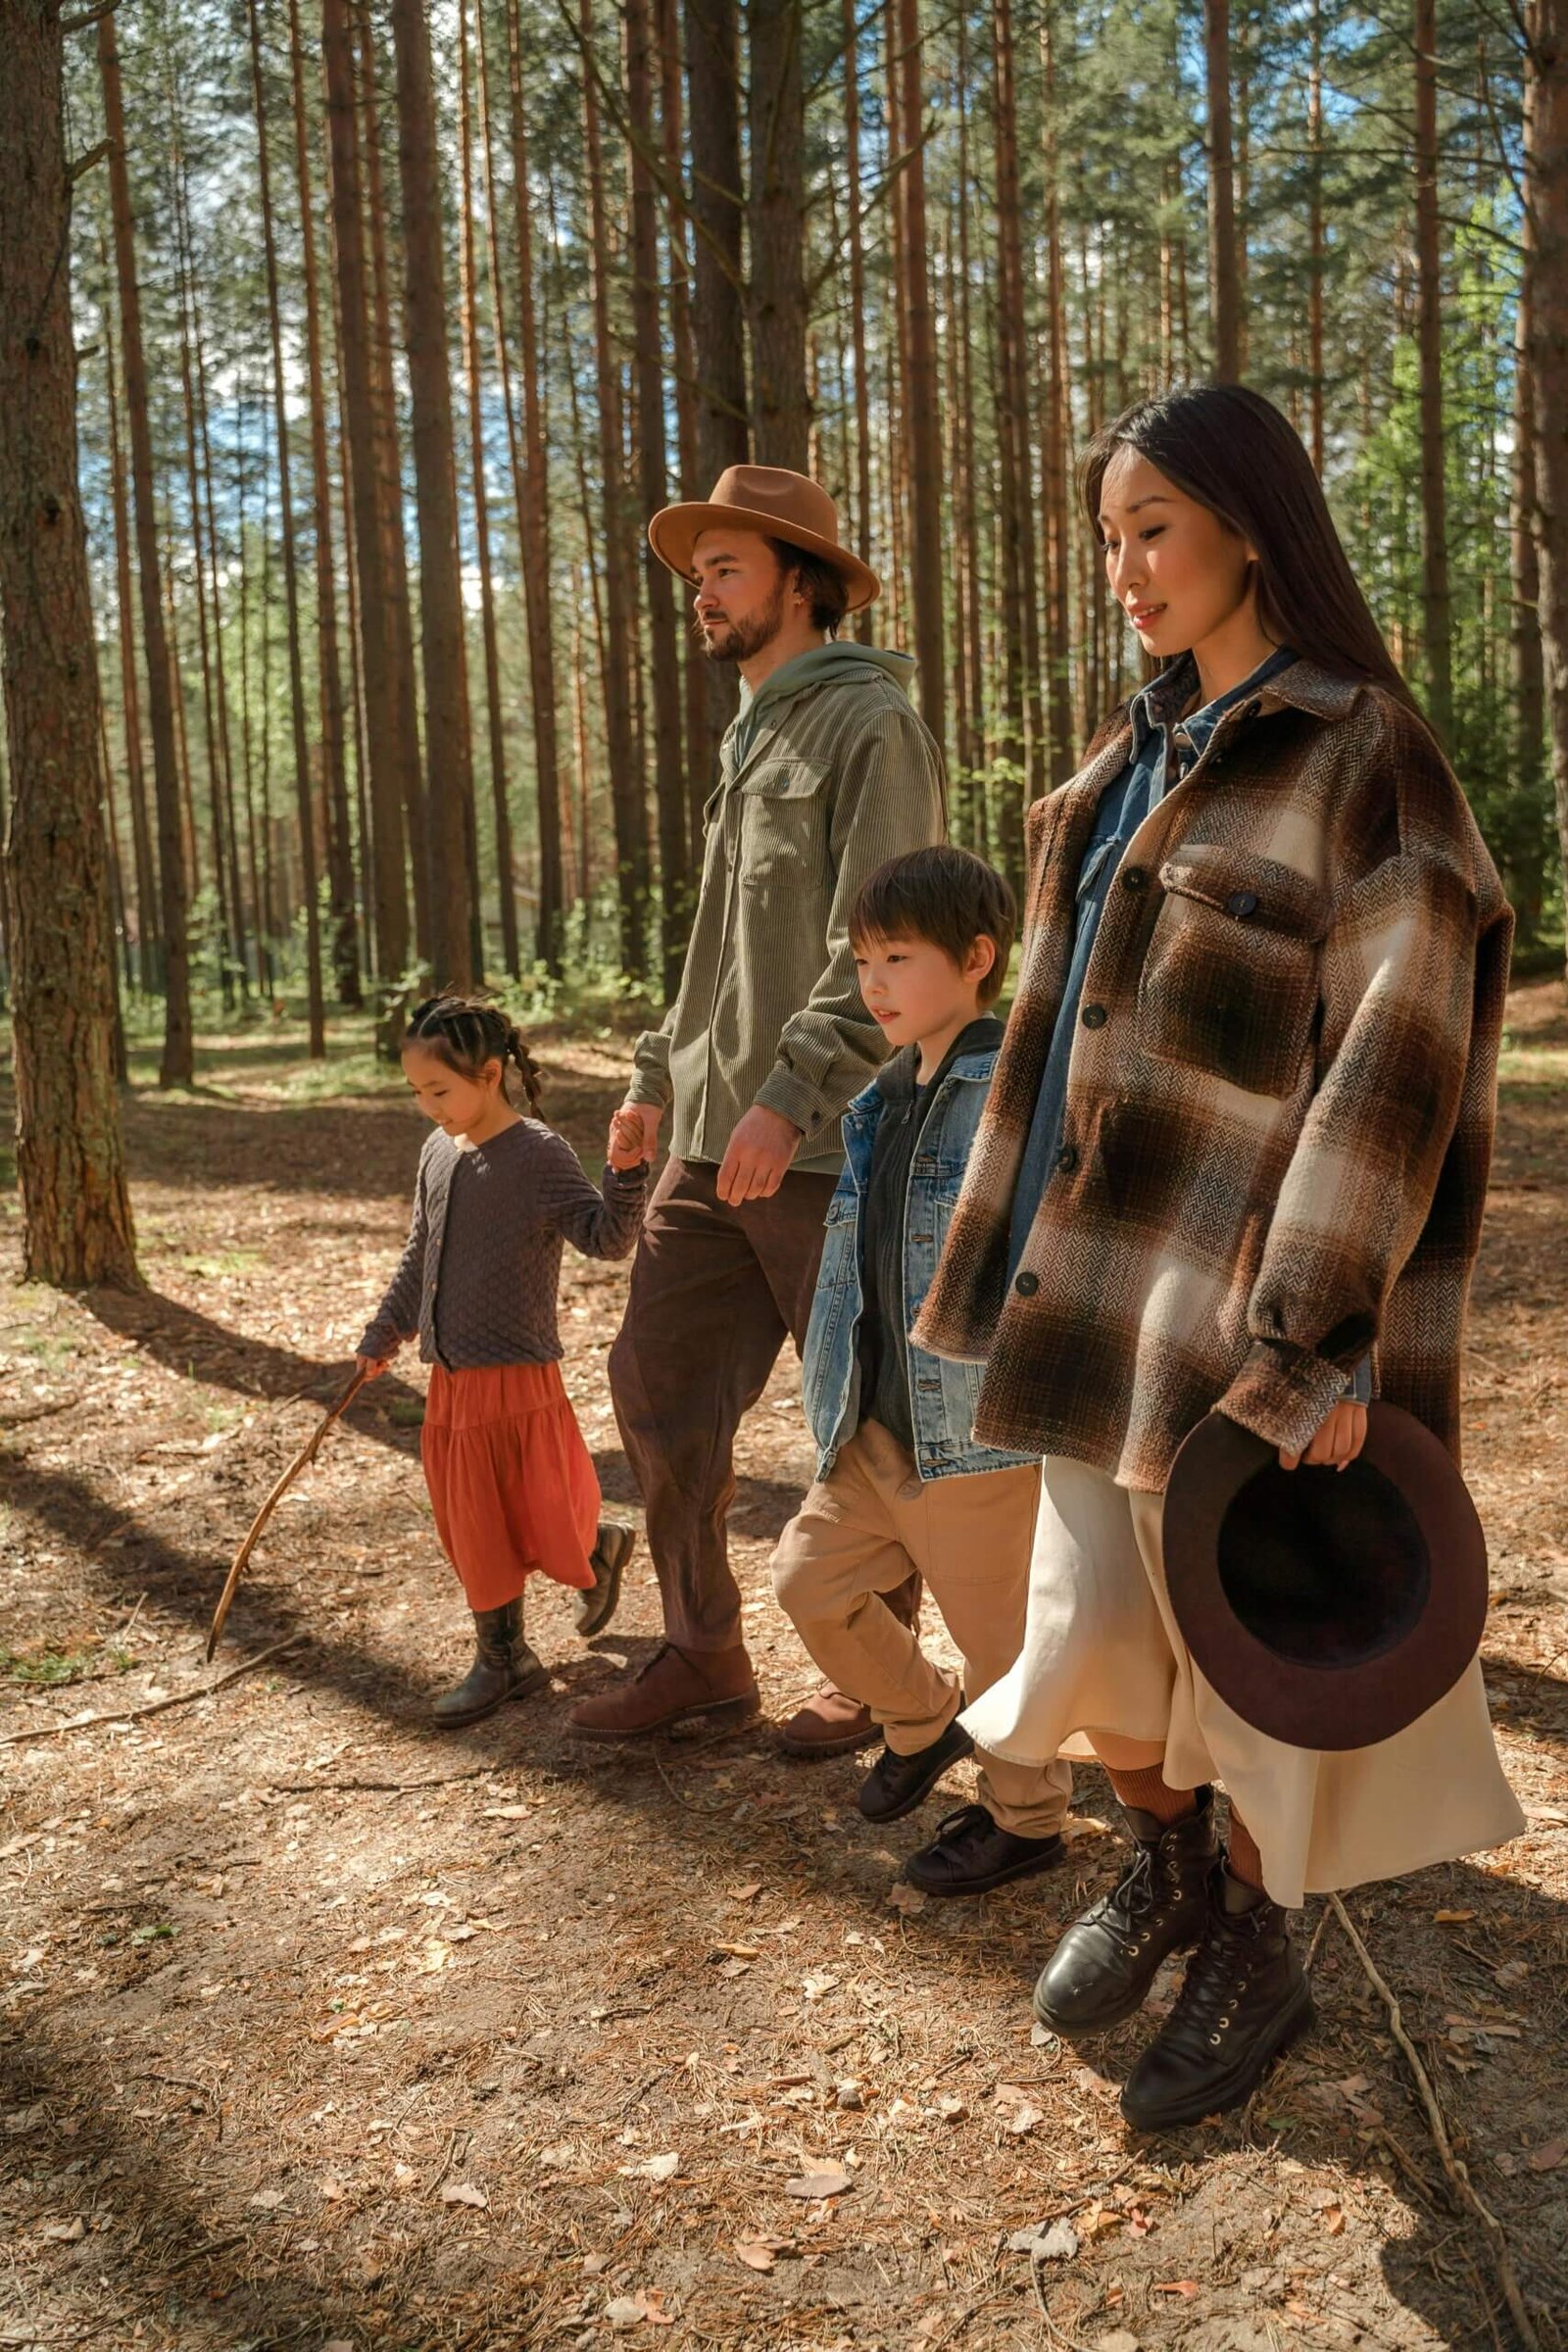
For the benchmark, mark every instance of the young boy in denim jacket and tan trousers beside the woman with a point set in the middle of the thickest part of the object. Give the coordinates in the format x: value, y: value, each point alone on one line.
x: 902, y: 1483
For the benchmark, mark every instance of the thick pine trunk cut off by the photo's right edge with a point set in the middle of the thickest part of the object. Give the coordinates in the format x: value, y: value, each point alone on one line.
x: 1548, y: 328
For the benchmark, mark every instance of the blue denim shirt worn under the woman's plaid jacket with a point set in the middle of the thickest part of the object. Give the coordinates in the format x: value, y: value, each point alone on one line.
x: 1165, y: 747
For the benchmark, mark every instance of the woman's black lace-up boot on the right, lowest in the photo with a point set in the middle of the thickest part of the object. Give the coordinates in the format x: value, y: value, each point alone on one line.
x: 1245, y: 2003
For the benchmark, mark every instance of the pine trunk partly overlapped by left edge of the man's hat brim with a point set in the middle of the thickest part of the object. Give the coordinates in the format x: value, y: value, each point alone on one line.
x: 655, y: 488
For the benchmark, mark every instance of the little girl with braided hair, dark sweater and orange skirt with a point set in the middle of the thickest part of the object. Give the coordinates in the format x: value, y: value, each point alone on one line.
x: 509, y: 1474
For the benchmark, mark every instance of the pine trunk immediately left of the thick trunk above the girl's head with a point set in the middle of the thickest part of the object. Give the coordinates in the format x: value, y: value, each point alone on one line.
x: 377, y: 639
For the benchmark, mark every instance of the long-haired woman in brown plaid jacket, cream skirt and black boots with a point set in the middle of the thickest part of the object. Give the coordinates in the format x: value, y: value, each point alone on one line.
x: 1233, y: 1158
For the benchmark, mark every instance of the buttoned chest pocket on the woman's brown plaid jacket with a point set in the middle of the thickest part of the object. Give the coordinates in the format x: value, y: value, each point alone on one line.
x: 1231, y: 982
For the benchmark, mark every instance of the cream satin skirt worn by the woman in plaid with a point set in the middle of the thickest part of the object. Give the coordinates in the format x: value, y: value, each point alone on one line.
x: 1101, y: 1652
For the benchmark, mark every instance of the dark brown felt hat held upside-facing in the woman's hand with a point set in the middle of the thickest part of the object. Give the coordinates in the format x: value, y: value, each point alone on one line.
x: 1327, y: 1608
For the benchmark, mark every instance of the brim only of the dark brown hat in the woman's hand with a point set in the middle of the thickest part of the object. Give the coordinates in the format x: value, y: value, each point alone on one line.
x: 1306, y: 1704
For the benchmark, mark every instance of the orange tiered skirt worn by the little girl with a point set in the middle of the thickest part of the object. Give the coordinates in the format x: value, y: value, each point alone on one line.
x: 511, y: 1481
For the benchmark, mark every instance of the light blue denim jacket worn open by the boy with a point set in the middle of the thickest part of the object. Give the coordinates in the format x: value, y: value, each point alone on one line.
x: 942, y: 1396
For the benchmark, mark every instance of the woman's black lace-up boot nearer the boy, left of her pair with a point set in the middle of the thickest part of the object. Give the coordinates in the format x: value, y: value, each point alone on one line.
x: 1106, y: 1963
